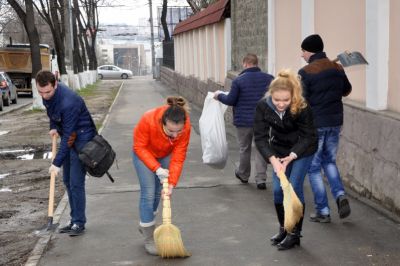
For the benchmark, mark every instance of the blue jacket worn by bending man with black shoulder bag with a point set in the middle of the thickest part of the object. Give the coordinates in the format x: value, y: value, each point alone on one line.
x: 68, y: 113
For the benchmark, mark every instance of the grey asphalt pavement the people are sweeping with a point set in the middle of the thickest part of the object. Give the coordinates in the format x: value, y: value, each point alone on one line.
x: 222, y: 221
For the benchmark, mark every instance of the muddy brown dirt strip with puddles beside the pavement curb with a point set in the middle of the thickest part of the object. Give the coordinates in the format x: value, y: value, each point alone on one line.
x: 24, y: 184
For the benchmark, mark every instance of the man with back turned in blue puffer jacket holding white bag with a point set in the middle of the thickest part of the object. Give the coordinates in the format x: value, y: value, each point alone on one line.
x: 247, y: 89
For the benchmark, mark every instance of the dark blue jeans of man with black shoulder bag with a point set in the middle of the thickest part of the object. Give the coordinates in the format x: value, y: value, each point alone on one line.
x: 74, y: 175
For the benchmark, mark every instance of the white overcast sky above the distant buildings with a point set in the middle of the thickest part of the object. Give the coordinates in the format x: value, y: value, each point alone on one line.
x: 129, y: 11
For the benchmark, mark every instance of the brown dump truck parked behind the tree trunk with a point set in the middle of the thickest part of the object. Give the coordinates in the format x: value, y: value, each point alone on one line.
x: 15, y: 59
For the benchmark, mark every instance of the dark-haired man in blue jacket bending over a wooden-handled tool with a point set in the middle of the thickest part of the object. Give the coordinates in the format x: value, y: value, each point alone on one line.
x: 71, y: 120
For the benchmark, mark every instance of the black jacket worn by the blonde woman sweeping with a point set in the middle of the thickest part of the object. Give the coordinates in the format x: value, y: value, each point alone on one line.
x: 279, y: 137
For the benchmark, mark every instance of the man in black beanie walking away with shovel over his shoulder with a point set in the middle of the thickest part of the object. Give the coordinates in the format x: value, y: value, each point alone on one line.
x: 324, y: 85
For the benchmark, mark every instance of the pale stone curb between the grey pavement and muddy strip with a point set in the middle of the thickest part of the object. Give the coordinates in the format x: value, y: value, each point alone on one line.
x: 44, y: 240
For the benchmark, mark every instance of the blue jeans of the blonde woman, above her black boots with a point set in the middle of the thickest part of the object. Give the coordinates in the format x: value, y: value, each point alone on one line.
x: 295, y: 172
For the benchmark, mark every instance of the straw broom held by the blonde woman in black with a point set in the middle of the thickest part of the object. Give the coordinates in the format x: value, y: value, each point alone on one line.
x: 291, y: 203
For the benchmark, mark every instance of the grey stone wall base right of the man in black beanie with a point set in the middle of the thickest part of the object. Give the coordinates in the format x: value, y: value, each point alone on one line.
x: 368, y: 155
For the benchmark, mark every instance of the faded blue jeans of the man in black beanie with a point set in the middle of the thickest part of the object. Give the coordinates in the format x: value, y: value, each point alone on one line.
x: 325, y: 158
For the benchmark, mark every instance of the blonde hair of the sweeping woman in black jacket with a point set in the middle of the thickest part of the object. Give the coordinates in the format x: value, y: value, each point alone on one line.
x: 289, y: 81
